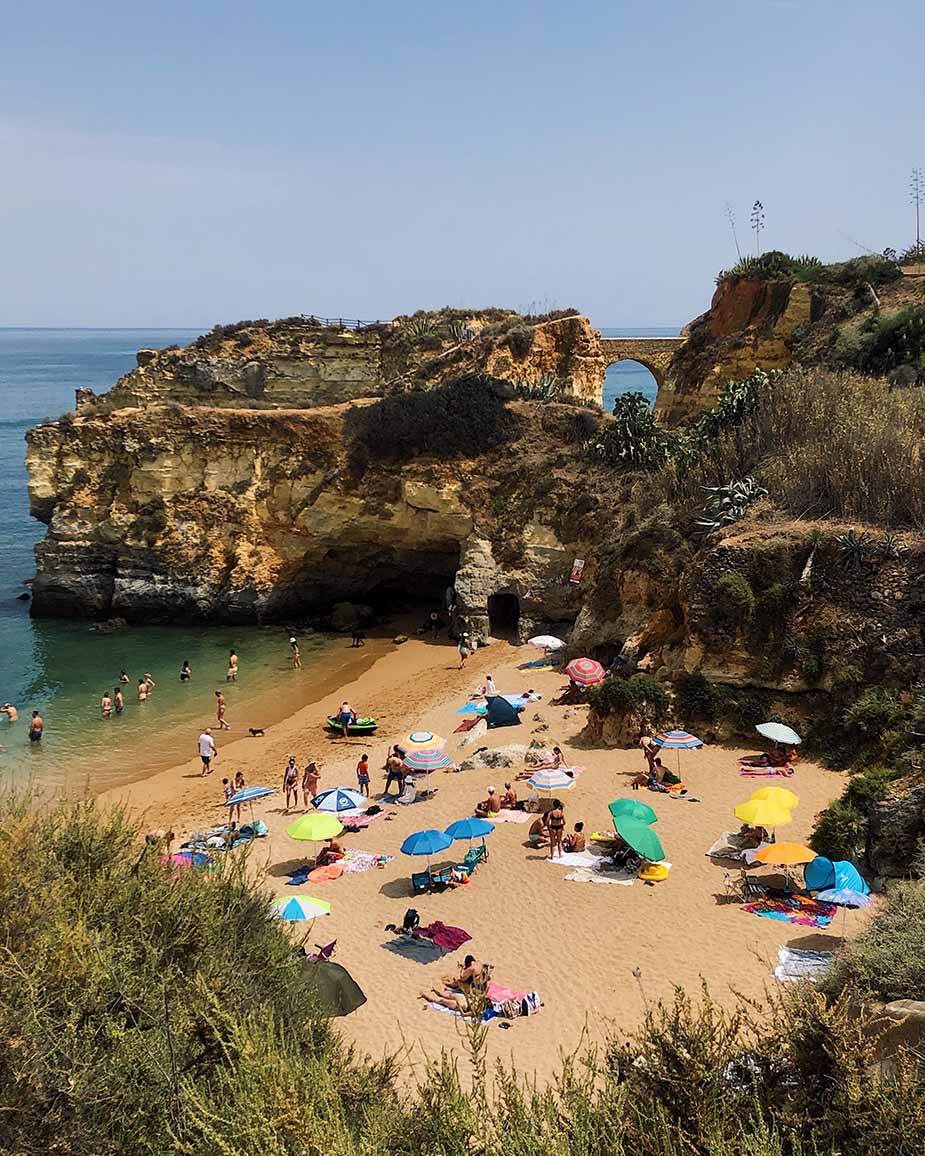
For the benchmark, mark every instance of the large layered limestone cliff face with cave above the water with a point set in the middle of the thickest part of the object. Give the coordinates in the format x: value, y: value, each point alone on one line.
x: 173, y: 514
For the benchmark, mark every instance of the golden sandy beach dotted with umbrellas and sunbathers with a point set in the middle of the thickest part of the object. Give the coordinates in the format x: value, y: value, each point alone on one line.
x: 579, y: 945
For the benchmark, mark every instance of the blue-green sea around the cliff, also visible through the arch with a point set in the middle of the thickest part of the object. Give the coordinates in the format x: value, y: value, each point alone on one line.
x: 62, y: 669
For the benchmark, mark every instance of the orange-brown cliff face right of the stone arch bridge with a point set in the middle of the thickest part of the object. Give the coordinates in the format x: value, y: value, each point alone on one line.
x: 751, y: 324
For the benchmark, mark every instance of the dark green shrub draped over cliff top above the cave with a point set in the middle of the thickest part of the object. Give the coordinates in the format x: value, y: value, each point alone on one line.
x: 461, y: 419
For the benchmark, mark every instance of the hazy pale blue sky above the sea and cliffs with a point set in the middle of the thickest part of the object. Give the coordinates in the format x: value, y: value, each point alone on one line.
x: 187, y: 164
